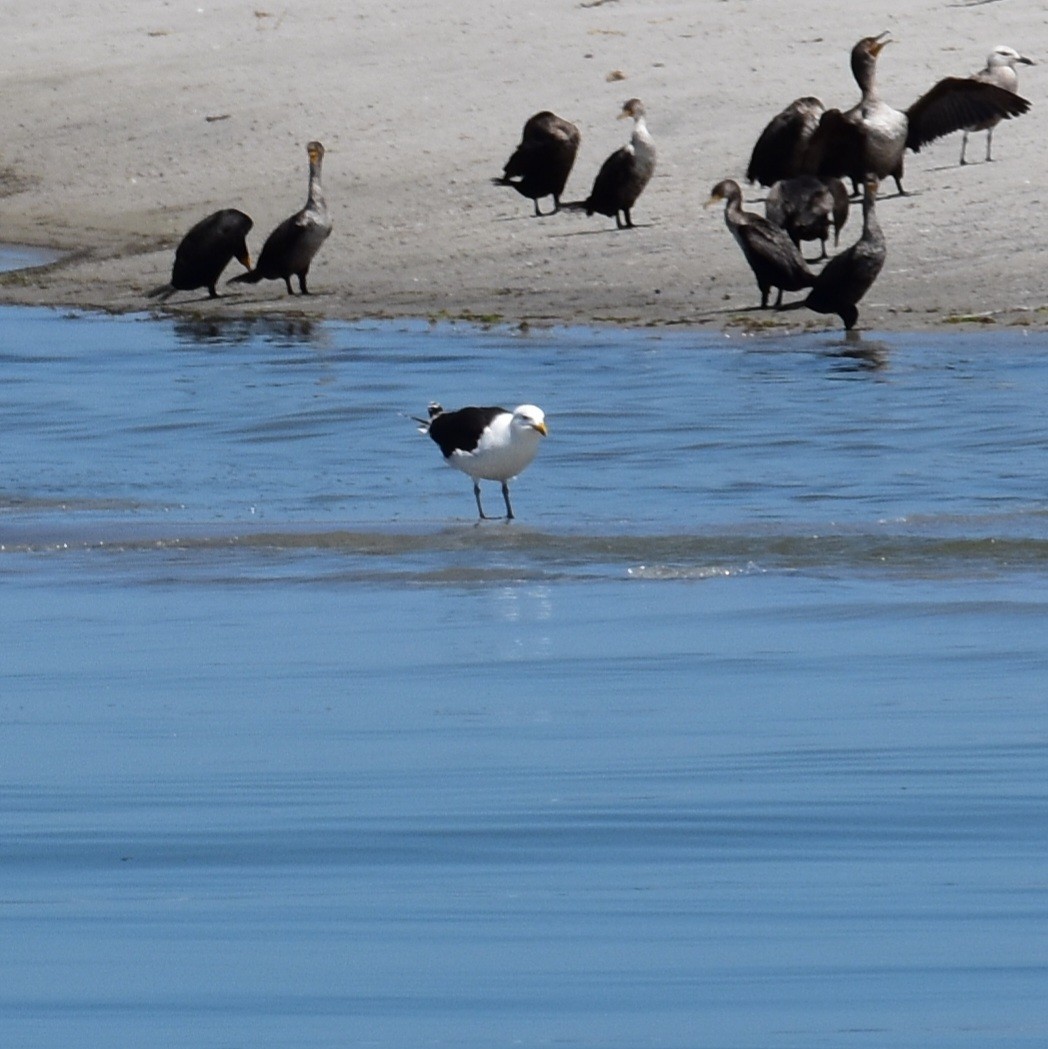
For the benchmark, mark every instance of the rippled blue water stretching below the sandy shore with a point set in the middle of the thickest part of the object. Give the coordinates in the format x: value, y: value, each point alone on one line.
x: 736, y: 738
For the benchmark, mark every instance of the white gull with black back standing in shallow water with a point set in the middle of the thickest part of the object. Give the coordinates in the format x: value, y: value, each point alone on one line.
x: 489, y: 444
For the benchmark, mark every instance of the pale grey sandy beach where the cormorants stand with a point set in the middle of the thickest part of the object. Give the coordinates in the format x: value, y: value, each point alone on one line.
x: 129, y: 121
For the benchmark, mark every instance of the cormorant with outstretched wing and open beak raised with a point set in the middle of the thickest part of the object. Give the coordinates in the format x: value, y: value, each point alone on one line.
x: 871, y: 138
